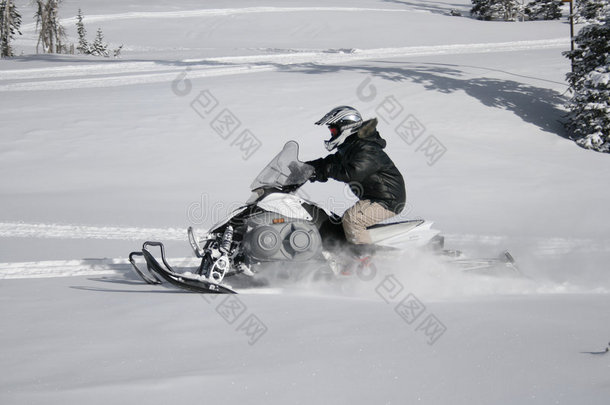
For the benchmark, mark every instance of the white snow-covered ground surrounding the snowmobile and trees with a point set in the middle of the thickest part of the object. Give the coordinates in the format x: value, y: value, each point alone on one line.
x: 98, y: 155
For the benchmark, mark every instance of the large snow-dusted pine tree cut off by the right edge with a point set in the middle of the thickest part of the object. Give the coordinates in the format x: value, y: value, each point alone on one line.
x: 589, y: 117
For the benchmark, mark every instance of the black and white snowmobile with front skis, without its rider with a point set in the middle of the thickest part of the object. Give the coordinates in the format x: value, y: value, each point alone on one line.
x: 277, y: 226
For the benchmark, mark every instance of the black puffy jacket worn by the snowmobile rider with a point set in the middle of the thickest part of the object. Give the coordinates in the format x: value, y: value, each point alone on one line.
x: 361, y: 162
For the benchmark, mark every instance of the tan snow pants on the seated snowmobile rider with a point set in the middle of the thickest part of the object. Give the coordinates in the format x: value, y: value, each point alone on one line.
x: 361, y: 215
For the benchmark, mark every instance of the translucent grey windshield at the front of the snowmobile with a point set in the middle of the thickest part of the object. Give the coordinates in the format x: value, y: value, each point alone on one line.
x: 284, y: 170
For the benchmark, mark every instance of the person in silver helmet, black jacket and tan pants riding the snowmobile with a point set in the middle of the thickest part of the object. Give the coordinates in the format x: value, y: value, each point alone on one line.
x: 361, y: 163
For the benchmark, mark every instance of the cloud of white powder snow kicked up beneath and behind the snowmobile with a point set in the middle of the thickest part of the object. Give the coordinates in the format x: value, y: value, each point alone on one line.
x: 426, y: 276
